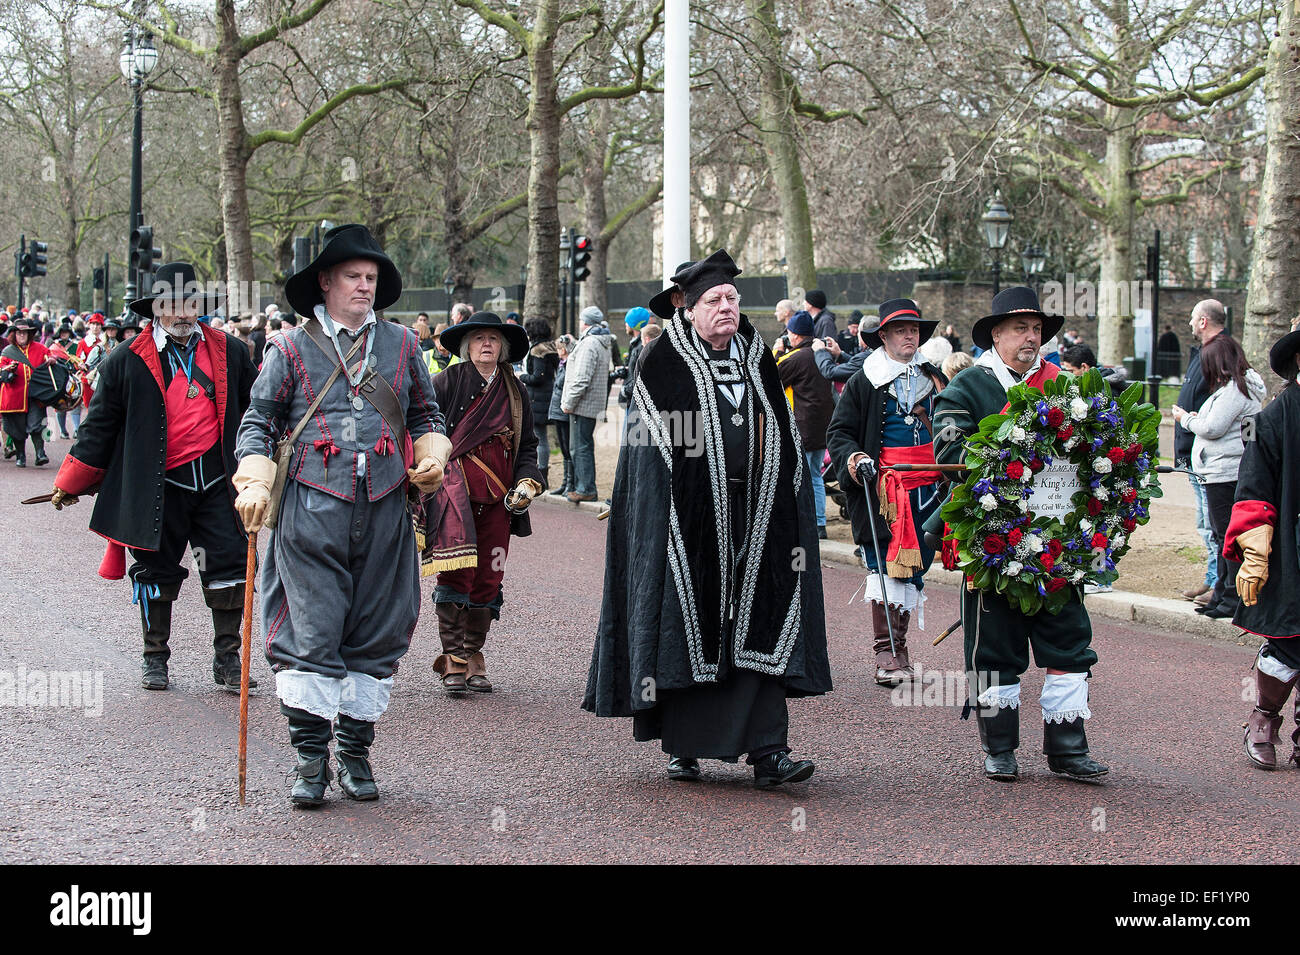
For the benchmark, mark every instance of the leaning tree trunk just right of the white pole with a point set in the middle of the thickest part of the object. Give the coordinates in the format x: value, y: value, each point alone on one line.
x: 778, y: 133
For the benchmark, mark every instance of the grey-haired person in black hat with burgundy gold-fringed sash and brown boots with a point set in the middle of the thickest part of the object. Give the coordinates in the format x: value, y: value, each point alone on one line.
x: 492, y: 479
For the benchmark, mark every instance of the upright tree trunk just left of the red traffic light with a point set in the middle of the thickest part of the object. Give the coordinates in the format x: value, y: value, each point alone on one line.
x: 541, y: 299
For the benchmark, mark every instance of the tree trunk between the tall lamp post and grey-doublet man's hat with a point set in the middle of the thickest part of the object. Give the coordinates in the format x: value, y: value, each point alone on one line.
x: 233, y: 153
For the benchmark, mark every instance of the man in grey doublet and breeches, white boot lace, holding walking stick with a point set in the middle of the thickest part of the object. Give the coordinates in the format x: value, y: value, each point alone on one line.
x: 341, y: 580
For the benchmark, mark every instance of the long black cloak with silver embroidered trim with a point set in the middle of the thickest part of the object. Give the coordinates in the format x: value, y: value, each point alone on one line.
x: 681, y: 606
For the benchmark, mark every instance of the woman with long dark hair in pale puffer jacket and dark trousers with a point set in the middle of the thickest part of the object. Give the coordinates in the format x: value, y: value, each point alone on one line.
x: 1223, y: 427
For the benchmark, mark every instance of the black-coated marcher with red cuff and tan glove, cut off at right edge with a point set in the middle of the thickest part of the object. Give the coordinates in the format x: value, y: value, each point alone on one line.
x: 1264, y: 536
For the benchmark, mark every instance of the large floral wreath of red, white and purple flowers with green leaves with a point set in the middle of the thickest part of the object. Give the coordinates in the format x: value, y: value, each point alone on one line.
x: 1038, y: 562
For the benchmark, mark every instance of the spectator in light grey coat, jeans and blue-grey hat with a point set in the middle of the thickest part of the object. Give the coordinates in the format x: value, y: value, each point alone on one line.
x: 587, y: 393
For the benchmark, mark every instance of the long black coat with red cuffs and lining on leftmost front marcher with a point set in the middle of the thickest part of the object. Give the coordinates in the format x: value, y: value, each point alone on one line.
x: 122, y: 445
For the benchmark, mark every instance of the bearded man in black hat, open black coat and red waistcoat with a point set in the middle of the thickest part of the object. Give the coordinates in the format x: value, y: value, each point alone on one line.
x: 162, y: 431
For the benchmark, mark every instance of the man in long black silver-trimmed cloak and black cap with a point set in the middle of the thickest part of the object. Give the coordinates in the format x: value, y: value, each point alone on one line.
x: 713, y: 607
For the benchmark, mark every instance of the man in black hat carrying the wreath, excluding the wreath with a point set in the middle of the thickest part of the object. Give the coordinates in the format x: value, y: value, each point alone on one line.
x: 998, y: 635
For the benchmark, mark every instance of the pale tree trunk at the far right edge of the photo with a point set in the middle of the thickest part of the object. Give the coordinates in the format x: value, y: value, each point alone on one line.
x: 1273, y: 298
